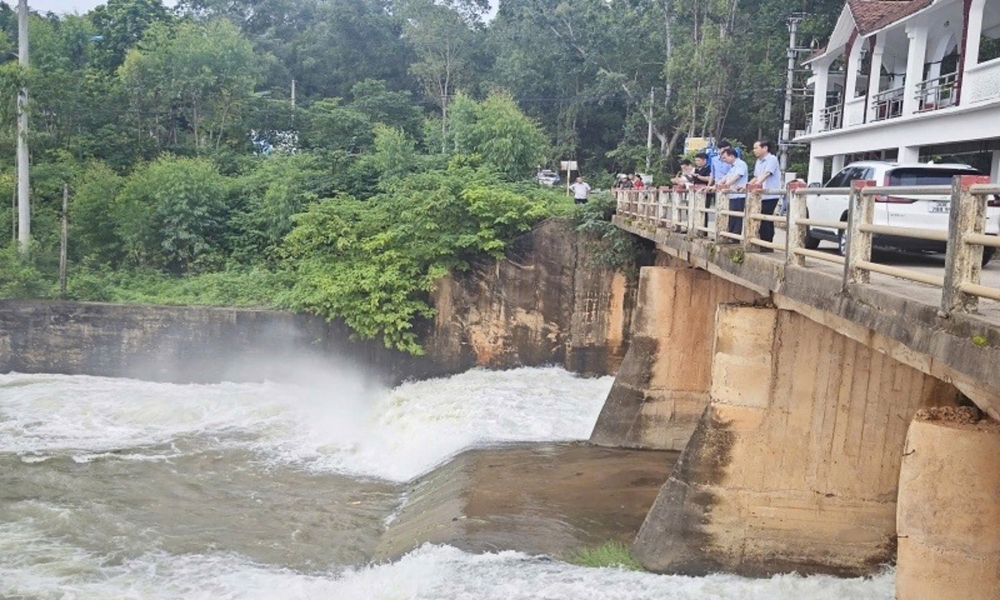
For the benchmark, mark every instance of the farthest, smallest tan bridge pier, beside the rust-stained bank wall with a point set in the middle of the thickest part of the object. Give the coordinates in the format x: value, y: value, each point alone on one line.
x: 663, y: 385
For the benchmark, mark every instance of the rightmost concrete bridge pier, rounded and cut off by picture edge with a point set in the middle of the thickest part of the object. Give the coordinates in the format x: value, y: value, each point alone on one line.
x: 949, y: 512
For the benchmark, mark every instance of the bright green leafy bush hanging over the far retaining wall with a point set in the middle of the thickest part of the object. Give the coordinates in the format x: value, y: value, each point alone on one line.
x: 373, y: 262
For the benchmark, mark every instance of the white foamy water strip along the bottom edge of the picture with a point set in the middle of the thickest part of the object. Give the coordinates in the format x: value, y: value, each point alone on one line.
x: 59, y: 571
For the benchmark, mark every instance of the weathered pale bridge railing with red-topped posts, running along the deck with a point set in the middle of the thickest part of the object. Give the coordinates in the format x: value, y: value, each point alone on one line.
x: 686, y: 211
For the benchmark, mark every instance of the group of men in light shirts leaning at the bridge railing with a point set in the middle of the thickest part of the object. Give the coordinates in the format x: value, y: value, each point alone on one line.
x: 728, y: 171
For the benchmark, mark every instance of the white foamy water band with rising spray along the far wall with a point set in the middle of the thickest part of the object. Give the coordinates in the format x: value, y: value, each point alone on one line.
x: 328, y: 422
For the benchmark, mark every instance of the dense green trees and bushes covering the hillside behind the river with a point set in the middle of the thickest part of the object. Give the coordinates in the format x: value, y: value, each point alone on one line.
x: 338, y: 156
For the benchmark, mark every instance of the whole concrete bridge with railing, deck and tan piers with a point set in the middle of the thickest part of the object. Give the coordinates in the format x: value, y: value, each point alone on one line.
x: 835, y: 413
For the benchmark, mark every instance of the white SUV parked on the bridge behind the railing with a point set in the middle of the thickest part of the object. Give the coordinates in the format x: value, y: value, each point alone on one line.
x: 918, y: 212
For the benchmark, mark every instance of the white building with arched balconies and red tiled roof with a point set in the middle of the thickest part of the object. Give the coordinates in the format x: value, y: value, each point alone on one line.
x: 901, y: 79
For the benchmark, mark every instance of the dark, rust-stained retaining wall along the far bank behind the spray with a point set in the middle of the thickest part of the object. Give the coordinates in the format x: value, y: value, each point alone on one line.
x: 543, y: 304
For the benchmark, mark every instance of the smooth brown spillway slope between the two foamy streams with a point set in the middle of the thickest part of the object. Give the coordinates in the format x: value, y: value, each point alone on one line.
x: 535, y: 498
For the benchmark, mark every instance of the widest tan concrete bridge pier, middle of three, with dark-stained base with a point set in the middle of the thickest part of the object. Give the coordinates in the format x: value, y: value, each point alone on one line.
x: 794, y: 465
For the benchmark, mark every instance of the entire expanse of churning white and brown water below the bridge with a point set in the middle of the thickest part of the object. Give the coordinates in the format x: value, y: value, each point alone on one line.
x: 114, y: 488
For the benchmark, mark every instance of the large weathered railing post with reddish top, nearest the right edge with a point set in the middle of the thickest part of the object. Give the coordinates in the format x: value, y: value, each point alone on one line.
x: 963, y: 261
